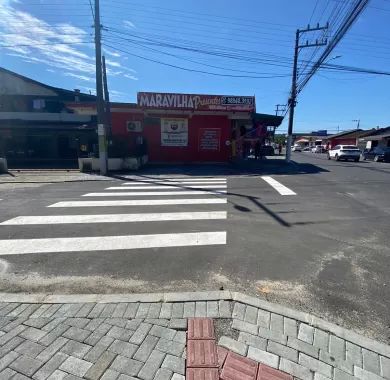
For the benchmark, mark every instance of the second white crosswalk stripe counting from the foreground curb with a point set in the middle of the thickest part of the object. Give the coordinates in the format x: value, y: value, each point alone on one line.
x: 114, y: 218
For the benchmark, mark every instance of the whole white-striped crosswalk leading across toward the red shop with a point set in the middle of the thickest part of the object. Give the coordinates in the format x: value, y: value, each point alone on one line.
x: 175, y: 213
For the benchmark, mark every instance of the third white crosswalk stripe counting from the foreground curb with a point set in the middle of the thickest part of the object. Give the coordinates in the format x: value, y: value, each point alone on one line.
x: 140, y: 202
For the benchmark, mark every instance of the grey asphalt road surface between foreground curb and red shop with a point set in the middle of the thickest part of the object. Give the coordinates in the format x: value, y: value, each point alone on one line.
x: 324, y: 249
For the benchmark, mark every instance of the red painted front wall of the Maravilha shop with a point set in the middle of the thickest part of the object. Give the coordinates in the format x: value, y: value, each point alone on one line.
x: 190, y: 153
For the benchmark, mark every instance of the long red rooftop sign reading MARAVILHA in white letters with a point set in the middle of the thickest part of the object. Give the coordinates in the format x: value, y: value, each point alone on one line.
x: 196, y: 102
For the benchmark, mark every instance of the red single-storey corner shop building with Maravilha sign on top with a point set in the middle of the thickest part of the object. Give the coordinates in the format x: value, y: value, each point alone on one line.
x: 186, y: 127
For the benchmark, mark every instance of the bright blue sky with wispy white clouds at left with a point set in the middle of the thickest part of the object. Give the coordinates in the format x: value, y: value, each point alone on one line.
x: 50, y: 41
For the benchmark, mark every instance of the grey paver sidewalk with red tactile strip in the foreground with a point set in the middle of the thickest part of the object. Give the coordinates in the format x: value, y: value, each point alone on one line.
x: 218, y: 336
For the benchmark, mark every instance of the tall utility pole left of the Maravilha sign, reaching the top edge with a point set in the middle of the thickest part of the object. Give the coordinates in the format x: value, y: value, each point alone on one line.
x: 99, y: 94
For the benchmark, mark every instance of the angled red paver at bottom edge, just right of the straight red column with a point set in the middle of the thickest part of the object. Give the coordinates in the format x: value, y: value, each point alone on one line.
x: 238, y: 367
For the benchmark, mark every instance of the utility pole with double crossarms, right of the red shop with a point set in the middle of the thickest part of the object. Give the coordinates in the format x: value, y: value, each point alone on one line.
x: 293, y: 97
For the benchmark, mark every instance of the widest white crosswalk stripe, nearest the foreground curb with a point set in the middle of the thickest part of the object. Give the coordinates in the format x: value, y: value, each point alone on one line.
x: 110, y: 243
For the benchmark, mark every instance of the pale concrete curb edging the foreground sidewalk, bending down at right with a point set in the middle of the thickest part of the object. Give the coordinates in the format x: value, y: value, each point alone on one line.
x: 310, y: 319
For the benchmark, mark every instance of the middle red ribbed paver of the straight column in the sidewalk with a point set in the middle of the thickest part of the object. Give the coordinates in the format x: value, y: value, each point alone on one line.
x: 202, y: 353
